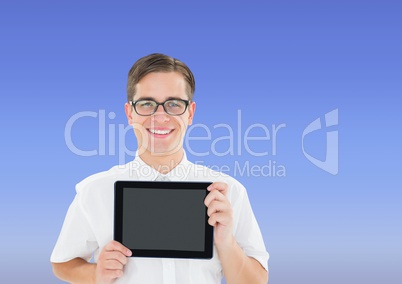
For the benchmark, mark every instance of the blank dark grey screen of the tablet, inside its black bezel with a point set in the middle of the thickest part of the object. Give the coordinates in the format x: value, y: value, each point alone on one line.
x: 163, y: 219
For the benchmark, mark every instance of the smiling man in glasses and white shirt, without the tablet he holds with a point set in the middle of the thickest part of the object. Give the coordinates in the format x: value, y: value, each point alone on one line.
x: 160, y: 106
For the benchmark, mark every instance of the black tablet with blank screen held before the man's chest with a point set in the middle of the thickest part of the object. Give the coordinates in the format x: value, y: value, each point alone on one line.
x: 163, y: 219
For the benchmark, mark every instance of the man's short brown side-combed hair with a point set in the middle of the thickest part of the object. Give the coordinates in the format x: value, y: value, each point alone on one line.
x: 158, y: 62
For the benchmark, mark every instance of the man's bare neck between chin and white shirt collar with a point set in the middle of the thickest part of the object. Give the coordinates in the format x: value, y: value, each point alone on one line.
x: 162, y: 163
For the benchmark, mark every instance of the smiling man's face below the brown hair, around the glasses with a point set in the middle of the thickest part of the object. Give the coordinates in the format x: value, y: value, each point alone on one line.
x: 160, y: 134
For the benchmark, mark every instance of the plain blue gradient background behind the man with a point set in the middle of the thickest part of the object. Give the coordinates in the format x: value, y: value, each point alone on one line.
x: 276, y: 61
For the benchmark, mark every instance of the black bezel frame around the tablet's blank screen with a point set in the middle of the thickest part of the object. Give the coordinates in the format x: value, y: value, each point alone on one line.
x: 119, y: 188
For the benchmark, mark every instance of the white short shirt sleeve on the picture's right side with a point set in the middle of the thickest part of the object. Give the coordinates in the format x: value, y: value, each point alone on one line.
x: 247, y: 231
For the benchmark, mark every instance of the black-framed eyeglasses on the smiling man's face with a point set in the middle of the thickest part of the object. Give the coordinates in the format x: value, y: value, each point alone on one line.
x: 149, y: 107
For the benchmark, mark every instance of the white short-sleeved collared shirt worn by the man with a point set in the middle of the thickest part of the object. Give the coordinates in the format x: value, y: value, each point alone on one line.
x: 88, y: 225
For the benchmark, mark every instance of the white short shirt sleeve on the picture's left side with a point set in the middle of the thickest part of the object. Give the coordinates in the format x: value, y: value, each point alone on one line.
x: 76, y: 238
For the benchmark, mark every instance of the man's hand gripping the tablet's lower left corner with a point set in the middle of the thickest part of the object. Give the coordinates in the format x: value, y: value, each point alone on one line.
x: 111, y: 262
